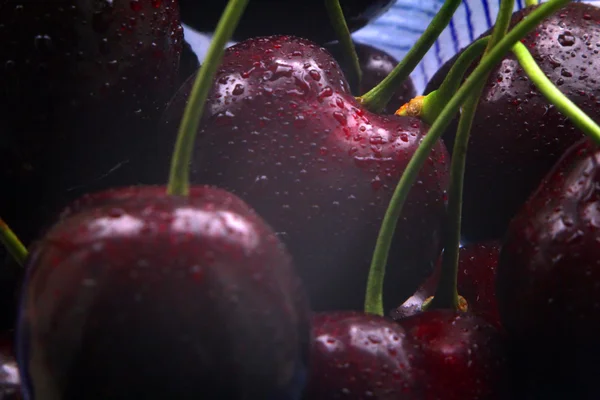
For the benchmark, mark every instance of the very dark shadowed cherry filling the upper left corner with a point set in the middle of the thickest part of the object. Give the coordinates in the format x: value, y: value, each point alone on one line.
x: 82, y: 85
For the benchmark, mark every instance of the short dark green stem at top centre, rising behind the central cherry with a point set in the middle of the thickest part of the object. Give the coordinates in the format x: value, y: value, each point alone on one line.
x: 338, y: 22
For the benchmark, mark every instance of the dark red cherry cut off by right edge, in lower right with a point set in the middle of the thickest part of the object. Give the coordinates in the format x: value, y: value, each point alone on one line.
x: 548, y: 277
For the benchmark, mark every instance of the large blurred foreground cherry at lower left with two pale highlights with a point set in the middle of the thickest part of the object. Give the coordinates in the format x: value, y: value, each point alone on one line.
x: 136, y: 294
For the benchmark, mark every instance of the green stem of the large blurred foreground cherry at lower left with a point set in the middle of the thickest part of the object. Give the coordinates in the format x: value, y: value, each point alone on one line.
x: 179, y: 176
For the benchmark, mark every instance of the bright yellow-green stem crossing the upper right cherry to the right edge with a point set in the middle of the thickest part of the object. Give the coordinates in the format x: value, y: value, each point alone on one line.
x: 580, y: 119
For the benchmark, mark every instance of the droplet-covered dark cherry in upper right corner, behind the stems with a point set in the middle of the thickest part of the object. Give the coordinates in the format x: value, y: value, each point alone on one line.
x: 517, y: 136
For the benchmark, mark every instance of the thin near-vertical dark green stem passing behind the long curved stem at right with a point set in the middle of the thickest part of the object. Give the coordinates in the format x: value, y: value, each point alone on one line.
x: 446, y: 294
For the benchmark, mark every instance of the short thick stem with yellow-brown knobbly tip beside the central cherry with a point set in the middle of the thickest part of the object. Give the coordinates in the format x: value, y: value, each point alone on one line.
x: 428, y: 108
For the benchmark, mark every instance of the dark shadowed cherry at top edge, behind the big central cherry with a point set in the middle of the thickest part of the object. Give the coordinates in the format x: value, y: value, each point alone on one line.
x: 307, y: 18
